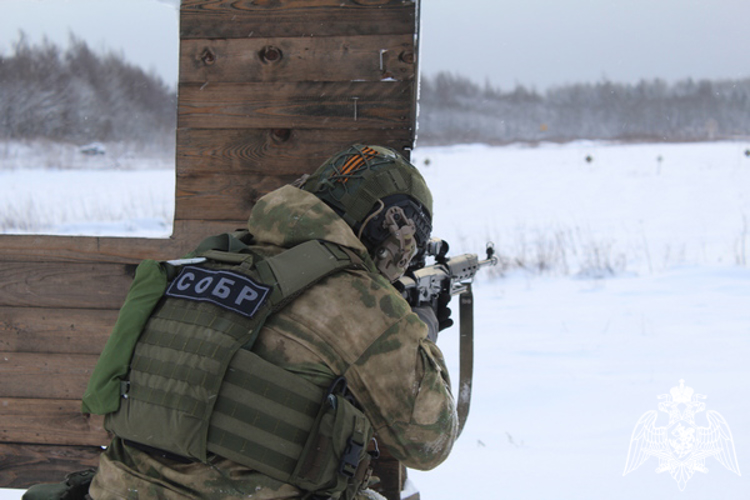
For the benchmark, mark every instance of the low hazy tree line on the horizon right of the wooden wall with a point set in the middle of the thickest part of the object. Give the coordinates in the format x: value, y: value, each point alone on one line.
x: 454, y: 109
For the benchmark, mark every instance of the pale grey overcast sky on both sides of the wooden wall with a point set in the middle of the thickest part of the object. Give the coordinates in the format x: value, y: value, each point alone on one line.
x: 538, y: 43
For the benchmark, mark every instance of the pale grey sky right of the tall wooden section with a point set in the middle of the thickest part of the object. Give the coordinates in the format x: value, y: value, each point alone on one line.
x: 544, y: 43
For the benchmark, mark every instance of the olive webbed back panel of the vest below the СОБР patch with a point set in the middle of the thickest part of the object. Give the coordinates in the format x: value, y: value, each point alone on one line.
x: 176, y: 372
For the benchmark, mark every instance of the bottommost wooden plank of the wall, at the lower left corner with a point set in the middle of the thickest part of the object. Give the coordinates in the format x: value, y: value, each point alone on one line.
x: 22, y: 465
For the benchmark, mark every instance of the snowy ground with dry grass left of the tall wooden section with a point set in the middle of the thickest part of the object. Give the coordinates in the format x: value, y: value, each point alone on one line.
x: 53, y: 188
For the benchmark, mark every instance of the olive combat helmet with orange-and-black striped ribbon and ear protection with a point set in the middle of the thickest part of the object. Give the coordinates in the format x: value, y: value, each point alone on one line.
x: 383, y: 198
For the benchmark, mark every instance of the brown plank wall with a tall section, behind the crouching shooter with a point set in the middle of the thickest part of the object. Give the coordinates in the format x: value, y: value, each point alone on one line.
x: 268, y: 89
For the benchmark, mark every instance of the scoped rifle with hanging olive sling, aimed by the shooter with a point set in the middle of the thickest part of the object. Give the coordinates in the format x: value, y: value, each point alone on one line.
x: 425, y: 284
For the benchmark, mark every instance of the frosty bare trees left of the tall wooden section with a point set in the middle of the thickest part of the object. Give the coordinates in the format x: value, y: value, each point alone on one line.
x: 80, y: 96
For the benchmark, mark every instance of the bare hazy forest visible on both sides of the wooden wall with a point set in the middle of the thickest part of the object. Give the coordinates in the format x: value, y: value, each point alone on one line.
x: 78, y: 95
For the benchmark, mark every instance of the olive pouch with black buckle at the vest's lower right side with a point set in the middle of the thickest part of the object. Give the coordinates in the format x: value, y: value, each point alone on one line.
x: 332, y: 454
